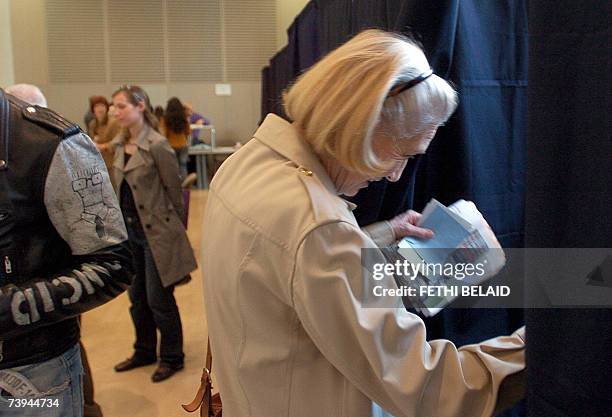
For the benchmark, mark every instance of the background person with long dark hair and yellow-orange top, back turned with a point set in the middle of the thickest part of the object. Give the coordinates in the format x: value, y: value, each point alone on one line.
x: 175, y: 127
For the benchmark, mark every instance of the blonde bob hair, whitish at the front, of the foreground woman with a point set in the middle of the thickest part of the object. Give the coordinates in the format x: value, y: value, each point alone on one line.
x: 343, y: 100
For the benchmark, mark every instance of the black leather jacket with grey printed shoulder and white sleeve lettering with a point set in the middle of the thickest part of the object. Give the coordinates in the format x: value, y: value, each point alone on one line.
x: 63, y: 244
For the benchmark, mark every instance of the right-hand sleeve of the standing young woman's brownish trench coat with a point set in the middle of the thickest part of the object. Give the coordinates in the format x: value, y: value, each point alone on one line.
x: 167, y: 166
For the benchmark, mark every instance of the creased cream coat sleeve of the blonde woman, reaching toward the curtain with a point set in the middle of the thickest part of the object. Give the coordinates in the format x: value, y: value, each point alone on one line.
x: 382, y: 350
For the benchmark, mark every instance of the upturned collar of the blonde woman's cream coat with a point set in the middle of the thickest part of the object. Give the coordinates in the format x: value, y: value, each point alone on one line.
x: 284, y: 138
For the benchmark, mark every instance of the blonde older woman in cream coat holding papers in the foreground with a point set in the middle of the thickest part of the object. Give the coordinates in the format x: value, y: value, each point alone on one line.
x: 284, y: 288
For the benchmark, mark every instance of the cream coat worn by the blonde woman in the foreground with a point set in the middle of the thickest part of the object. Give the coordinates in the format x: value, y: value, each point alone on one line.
x: 283, y: 288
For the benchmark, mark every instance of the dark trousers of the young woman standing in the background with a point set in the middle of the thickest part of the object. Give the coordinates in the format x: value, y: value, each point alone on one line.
x: 153, y: 305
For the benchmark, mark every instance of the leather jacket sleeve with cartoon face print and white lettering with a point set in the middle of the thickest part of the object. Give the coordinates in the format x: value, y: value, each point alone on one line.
x: 83, y: 209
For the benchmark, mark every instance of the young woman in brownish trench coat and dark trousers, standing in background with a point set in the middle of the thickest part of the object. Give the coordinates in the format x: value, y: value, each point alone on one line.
x: 149, y: 189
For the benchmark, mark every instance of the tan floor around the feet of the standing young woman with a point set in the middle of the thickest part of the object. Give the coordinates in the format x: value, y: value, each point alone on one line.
x: 108, y: 335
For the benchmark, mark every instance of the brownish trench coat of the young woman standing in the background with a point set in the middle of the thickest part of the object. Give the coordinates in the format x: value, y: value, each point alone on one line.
x: 153, y: 175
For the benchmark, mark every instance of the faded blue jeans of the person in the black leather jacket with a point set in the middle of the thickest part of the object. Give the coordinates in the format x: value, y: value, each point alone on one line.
x: 47, y: 389
